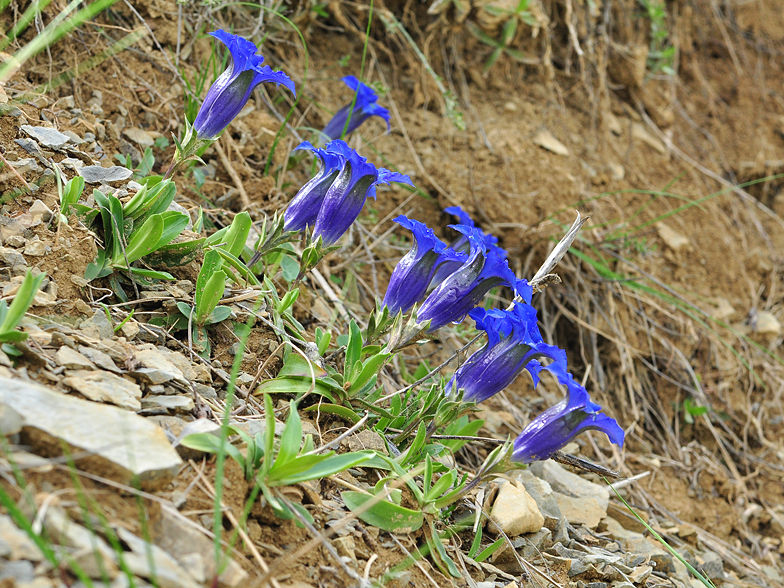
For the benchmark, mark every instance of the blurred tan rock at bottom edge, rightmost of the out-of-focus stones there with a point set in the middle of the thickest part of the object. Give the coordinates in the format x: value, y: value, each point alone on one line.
x: 181, y: 540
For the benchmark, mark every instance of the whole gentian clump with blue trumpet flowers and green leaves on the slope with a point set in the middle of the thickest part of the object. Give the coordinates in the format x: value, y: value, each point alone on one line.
x: 421, y: 425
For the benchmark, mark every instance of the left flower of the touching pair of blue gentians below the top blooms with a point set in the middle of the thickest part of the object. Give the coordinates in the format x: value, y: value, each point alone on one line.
x: 304, y: 208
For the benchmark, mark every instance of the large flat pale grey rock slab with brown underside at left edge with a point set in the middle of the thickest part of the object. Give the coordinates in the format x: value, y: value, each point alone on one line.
x: 121, y: 444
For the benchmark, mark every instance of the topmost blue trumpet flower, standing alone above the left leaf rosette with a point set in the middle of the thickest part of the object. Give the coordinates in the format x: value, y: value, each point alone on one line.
x: 228, y: 95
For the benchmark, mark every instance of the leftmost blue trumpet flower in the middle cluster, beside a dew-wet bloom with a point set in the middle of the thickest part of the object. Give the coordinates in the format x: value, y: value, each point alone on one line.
x: 411, y: 277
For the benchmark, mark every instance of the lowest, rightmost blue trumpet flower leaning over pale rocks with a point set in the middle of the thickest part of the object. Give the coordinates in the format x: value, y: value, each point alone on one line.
x: 559, y: 424
